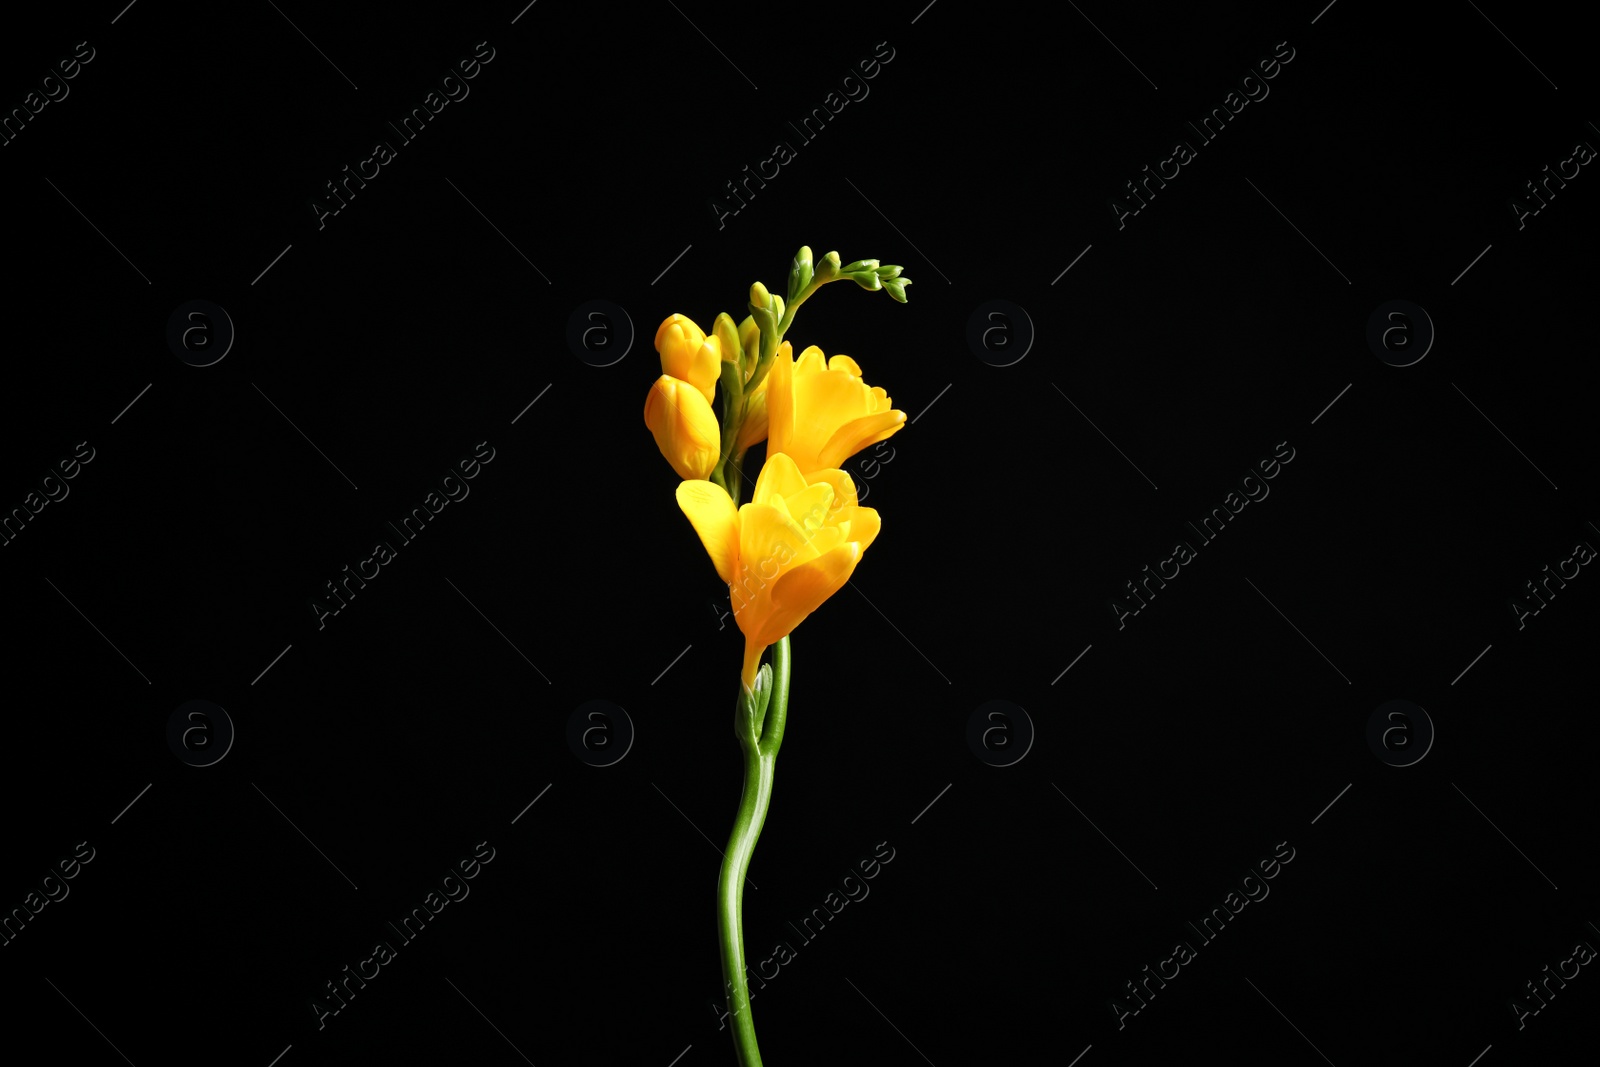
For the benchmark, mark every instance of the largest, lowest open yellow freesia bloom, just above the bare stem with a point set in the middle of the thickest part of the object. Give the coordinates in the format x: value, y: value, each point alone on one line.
x: 785, y: 553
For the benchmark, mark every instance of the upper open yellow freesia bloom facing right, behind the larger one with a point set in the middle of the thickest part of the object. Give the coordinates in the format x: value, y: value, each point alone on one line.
x: 822, y: 412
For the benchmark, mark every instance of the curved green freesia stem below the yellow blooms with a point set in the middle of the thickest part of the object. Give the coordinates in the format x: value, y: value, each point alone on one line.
x: 761, y: 743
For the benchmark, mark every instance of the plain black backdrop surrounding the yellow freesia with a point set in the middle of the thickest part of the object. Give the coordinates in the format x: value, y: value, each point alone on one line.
x: 426, y: 716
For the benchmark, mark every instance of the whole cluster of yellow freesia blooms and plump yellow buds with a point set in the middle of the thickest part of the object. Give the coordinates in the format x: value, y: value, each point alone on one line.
x: 802, y: 533
